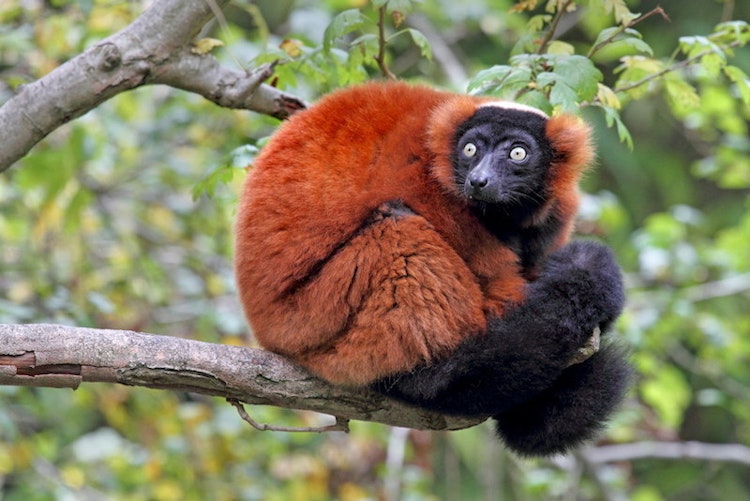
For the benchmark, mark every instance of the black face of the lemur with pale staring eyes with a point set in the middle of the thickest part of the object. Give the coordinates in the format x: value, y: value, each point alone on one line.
x: 501, y: 161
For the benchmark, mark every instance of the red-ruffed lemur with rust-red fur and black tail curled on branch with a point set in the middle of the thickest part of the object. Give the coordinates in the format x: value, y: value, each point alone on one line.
x: 415, y: 241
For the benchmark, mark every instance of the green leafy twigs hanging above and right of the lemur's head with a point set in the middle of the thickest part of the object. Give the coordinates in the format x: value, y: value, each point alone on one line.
x: 557, y: 79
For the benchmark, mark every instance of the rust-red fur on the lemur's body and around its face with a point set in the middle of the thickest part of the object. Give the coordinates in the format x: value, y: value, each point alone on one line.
x: 330, y: 277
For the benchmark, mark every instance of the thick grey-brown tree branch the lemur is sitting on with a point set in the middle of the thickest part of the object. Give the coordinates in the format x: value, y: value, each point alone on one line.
x: 64, y: 357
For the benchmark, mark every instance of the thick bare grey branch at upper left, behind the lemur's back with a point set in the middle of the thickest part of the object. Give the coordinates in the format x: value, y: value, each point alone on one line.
x: 154, y: 49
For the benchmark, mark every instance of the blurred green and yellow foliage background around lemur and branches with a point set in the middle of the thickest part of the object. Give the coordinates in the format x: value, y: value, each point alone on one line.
x: 123, y: 219
